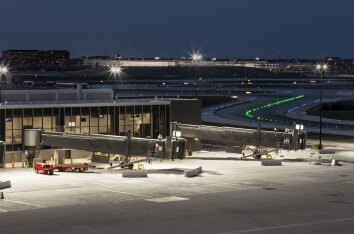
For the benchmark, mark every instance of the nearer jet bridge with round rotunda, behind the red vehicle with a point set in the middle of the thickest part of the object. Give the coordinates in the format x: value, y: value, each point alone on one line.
x: 171, y: 148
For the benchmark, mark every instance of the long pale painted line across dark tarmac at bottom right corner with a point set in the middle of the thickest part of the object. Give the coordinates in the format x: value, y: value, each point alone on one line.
x: 290, y: 226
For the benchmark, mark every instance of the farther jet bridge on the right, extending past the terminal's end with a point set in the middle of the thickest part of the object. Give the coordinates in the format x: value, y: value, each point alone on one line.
x: 234, y: 139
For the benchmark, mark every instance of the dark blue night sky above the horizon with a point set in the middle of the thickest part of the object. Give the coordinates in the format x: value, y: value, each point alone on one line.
x: 170, y: 28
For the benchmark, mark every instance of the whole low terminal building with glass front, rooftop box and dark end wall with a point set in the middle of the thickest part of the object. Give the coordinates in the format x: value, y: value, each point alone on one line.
x: 89, y: 111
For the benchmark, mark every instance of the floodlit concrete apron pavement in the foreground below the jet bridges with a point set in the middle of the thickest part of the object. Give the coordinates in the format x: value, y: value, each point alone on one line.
x: 228, y: 197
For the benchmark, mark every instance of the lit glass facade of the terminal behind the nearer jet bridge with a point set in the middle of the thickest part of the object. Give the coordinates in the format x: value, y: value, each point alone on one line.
x: 142, y: 121
